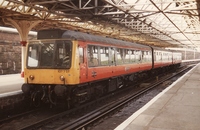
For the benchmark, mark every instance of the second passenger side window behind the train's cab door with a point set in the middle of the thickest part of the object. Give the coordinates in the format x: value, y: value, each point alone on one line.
x: 104, y: 56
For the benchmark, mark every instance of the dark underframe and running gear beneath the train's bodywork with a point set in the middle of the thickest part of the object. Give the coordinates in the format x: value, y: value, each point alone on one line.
x: 71, y: 95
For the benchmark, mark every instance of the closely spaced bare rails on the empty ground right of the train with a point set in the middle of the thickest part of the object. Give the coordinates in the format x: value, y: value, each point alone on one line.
x: 91, y: 117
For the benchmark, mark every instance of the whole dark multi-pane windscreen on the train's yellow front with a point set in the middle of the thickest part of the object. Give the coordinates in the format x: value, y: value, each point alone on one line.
x: 49, y: 54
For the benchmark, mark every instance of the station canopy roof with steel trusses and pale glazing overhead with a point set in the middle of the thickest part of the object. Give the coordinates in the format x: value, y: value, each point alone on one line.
x: 163, y: 23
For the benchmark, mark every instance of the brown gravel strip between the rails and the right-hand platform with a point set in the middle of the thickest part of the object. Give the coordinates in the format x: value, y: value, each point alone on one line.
x: 113, y: 121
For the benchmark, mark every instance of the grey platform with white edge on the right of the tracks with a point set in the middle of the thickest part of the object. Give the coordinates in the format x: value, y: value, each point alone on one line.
x: 176, y: 108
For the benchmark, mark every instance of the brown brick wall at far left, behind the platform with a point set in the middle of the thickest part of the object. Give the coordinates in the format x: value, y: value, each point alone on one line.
x: 10, y: 53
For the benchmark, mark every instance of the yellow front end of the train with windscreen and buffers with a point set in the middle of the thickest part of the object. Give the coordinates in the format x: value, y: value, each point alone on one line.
x: 51, y: 68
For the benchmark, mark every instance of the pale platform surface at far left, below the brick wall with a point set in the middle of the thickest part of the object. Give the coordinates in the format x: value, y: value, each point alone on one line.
x: 10, y: 83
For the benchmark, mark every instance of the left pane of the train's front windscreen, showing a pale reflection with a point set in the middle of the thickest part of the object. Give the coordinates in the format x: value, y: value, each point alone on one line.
x: 33, y: 56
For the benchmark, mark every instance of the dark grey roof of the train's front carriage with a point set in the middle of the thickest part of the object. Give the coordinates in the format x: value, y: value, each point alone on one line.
x: 75, y: 35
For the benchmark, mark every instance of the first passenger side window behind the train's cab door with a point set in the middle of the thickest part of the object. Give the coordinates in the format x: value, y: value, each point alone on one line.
x: 93, y: 59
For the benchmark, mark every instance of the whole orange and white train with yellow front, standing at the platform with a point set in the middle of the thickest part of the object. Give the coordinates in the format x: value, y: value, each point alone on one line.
x: 74, y: 67
